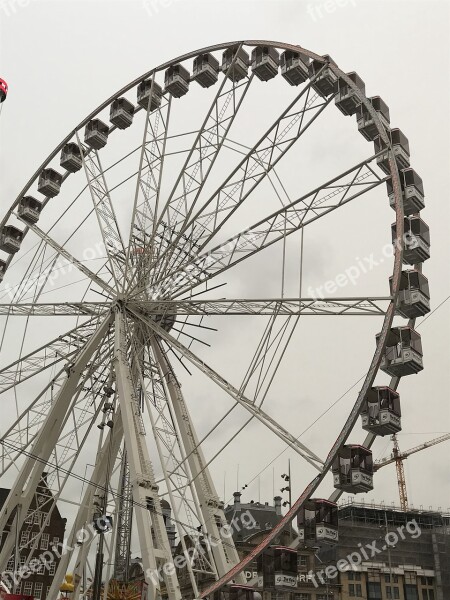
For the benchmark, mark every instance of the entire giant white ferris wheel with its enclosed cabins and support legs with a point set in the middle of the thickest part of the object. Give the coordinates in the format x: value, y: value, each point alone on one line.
x: 140, y: 230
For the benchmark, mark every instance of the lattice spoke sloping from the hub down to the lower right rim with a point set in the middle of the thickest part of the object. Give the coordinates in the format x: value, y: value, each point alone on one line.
x: 268, y: 421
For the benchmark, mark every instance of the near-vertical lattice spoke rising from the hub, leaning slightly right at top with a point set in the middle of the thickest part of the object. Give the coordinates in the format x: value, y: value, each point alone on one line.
x: 148, y: 187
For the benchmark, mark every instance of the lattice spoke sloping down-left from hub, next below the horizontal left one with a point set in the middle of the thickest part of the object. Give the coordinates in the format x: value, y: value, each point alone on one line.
x: 64, y: 347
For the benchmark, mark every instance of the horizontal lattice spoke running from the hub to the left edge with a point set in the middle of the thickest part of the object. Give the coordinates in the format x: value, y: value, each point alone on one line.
x: 64, y: 309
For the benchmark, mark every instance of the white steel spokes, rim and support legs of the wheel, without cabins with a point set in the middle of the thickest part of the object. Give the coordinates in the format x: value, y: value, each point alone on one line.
x: 117, y: 358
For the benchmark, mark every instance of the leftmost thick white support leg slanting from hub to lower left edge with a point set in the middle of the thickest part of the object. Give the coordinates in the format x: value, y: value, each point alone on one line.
x: 21, y: 495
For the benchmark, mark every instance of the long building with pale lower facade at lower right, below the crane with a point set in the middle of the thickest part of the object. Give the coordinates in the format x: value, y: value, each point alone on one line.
x: 394, y: 555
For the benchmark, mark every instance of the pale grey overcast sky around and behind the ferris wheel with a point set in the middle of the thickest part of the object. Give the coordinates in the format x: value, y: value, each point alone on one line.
x: 62, y: 59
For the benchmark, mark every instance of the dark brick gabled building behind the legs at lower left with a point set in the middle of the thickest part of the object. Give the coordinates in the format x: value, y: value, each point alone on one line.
x: 29, y: 548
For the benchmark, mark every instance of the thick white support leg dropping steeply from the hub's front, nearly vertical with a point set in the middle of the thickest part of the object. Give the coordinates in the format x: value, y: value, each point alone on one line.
x: 154, y: 543
